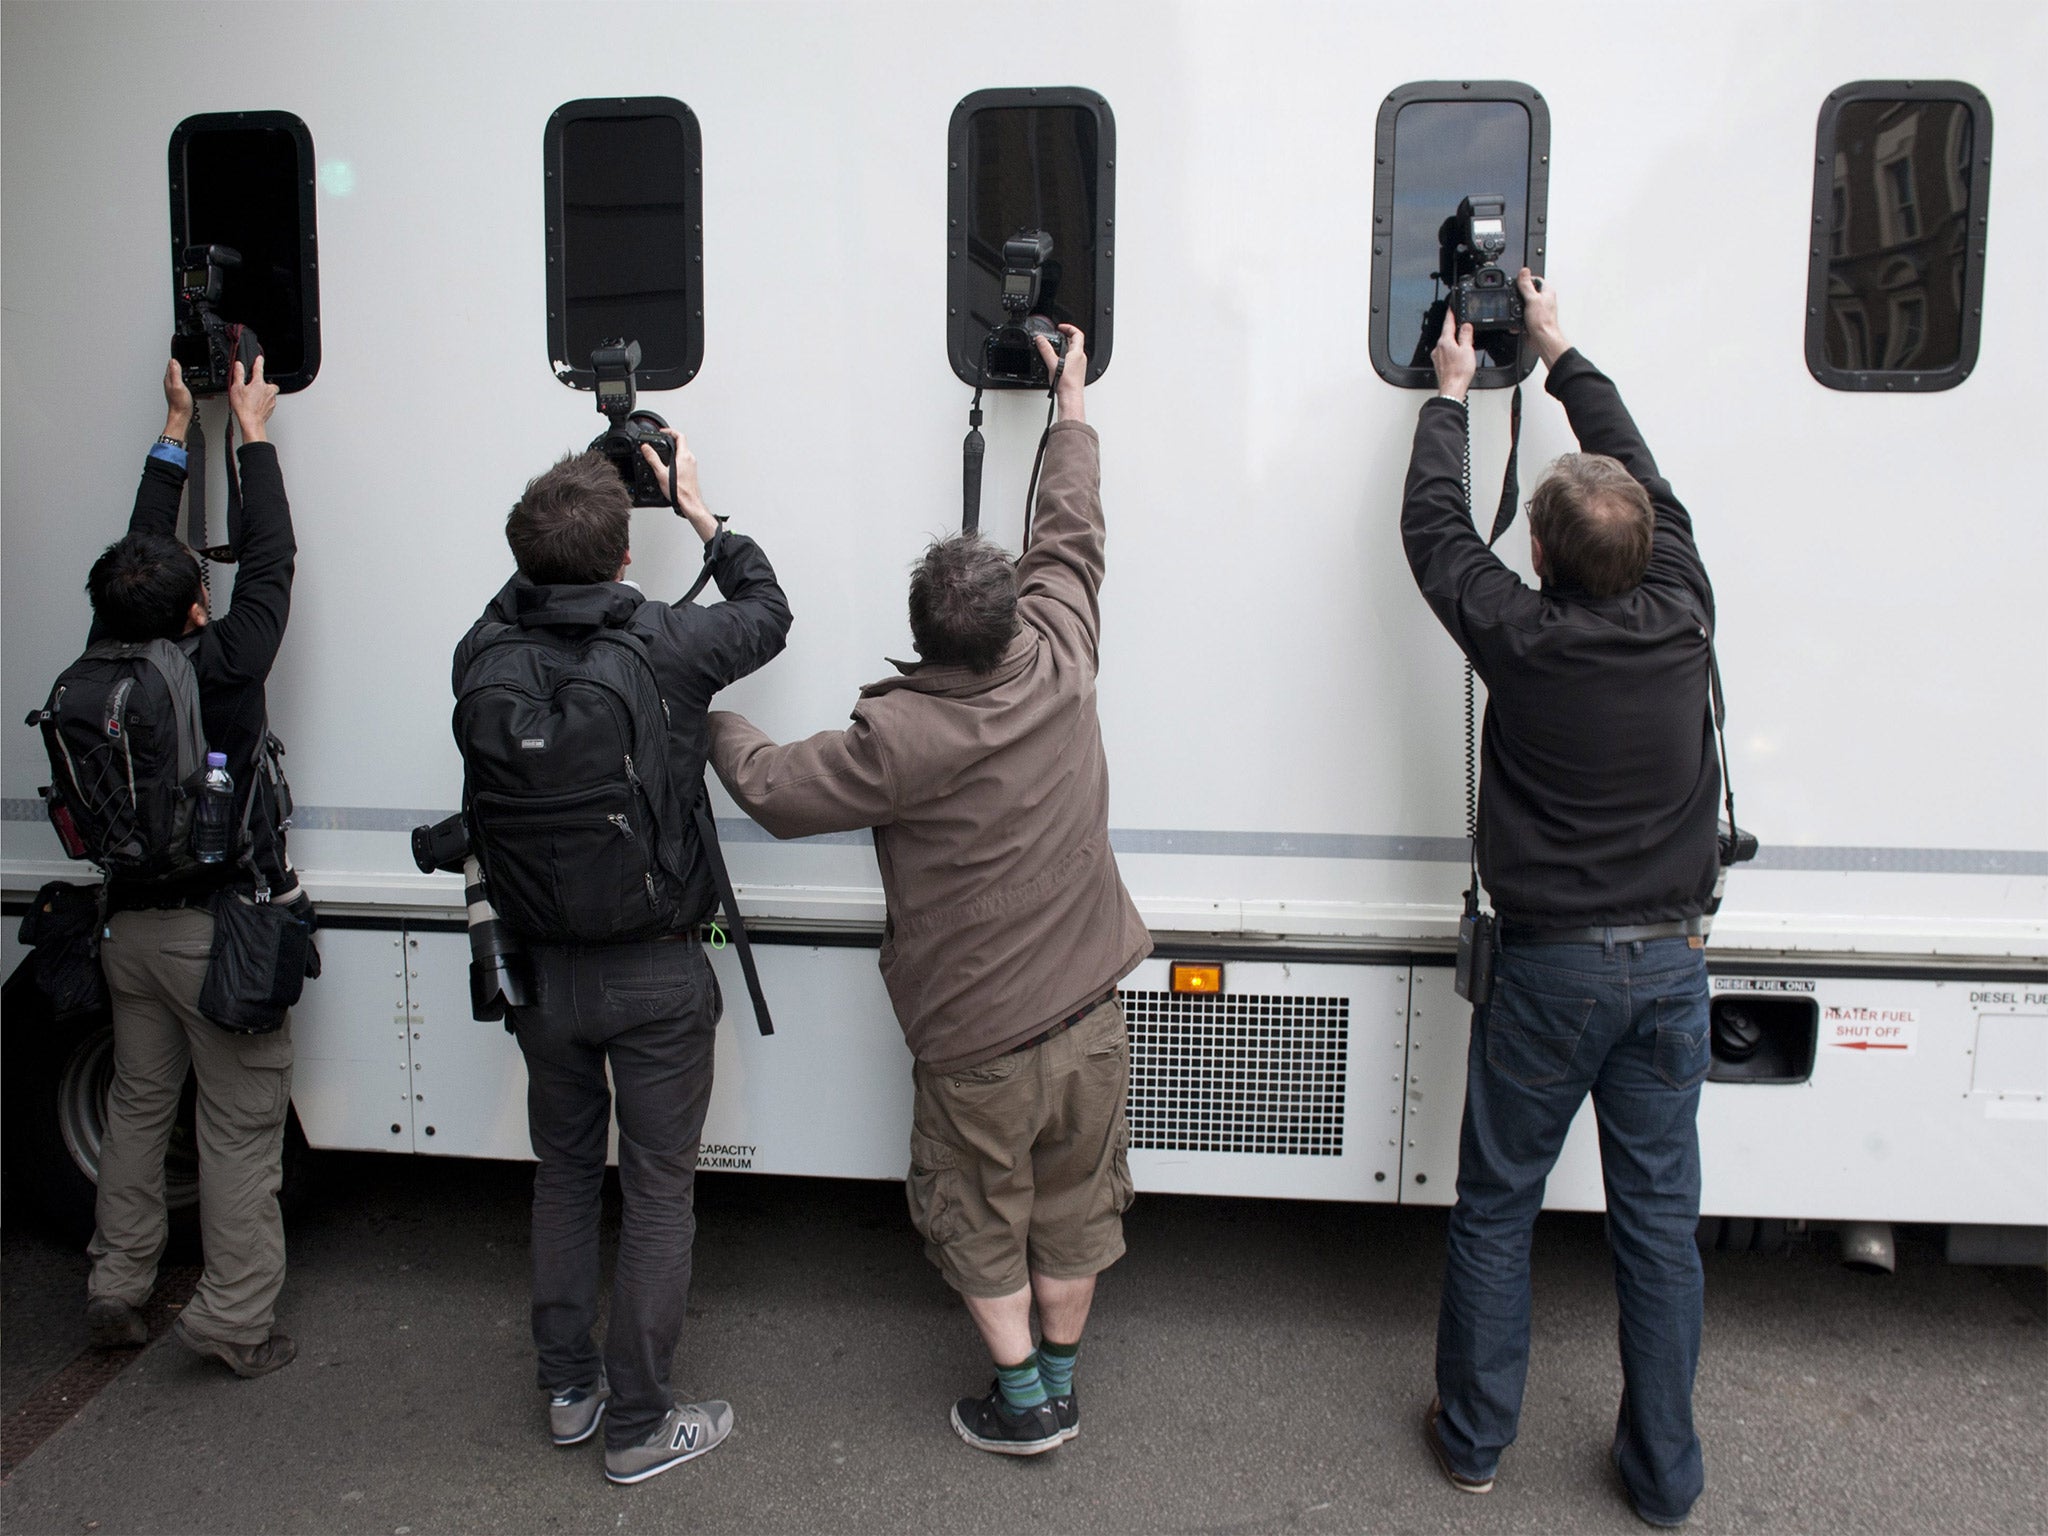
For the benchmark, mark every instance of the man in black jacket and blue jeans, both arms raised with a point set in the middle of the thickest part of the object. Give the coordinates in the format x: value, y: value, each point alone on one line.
x: 1596, y: 845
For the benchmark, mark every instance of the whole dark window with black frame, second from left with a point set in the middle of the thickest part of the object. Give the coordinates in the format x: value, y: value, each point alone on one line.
x: 626, y: 237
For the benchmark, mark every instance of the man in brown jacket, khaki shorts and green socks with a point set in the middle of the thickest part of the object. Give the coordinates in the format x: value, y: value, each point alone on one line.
x: 1009, y: 929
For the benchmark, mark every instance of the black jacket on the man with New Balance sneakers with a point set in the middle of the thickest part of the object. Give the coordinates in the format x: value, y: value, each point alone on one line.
x: 695, y: 652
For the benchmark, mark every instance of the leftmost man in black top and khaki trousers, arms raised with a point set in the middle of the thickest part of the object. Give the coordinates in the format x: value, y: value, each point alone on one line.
x: 159, y: 939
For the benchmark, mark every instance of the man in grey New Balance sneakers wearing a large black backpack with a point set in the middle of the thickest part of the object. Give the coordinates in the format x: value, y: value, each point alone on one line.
x: 581, y: 716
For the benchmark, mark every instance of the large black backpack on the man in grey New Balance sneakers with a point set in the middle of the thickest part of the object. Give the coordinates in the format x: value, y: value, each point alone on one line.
x: 572, y: 810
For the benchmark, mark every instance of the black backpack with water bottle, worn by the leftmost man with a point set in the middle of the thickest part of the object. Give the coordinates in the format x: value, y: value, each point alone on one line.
x: 128, y: 755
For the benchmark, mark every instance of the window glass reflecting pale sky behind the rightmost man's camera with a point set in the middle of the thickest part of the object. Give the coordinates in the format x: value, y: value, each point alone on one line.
x: 1447, y: 151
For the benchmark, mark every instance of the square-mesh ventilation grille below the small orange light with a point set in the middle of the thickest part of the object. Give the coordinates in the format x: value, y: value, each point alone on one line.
x: 1238, y: 1074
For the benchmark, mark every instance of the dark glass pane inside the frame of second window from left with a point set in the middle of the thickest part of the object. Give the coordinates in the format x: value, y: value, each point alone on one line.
x: 626, y: 237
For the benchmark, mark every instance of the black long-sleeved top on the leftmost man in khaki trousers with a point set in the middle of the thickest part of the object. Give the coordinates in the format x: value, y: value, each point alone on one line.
x: 234, y: 652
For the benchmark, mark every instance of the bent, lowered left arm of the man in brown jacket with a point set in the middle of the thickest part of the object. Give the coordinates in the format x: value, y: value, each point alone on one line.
x: 835, y: 781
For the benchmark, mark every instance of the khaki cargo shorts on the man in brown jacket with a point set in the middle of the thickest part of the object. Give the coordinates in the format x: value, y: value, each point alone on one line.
x: 1023, y: 1164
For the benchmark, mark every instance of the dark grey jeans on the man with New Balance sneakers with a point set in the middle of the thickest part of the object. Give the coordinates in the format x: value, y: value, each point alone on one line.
x: 650, y: 1013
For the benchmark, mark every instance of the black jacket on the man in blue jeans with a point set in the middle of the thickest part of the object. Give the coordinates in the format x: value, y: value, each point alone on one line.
x: 1598, y: 787
